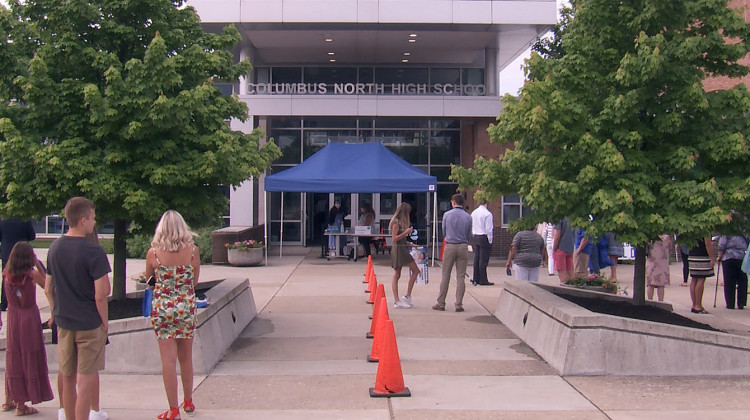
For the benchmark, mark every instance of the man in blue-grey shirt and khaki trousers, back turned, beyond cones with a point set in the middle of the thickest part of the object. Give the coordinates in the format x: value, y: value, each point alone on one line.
x: 457, y: 234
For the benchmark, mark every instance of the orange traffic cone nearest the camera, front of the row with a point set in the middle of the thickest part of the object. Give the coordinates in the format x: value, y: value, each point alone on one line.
x: 389, y: 381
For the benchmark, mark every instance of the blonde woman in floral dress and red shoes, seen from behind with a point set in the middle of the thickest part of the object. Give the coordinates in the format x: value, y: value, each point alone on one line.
x: 174, y: 262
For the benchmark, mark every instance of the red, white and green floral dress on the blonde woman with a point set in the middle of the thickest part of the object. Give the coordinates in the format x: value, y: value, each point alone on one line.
x: 173, y: 305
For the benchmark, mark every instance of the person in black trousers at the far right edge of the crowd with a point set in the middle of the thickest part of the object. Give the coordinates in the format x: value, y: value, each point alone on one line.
x: 731, y: 252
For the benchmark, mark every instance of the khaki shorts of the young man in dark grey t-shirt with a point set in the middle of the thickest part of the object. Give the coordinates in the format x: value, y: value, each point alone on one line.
x: 81, y: 351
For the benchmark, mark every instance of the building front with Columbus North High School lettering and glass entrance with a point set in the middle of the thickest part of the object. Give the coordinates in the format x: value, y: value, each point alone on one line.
x: 420, y: 76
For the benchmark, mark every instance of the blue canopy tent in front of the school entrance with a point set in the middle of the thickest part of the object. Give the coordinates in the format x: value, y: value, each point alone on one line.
x: 352, y: 168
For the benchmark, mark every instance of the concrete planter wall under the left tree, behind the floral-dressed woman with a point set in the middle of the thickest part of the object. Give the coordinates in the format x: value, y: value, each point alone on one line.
x: 133, y: 346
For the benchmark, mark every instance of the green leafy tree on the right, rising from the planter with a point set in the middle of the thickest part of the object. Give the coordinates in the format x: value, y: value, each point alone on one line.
x: 621, y: 127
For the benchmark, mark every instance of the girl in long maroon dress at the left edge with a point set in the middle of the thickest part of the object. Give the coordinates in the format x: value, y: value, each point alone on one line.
x: 26, y: 374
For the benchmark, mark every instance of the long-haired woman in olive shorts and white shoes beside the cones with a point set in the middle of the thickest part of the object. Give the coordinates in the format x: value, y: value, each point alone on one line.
x: 400, y: 228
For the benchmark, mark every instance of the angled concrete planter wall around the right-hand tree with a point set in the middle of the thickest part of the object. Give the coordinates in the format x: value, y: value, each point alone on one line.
x: 576, y: 341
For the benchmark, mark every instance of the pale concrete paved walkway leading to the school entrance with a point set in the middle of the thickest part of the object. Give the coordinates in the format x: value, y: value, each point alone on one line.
x: 304, y: 357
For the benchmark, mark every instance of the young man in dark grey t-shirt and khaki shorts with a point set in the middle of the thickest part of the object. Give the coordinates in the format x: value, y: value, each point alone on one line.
x: 77, y: 287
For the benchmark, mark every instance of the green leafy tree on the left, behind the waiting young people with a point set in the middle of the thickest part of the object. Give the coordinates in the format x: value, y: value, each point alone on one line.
x: 118, y: 104
